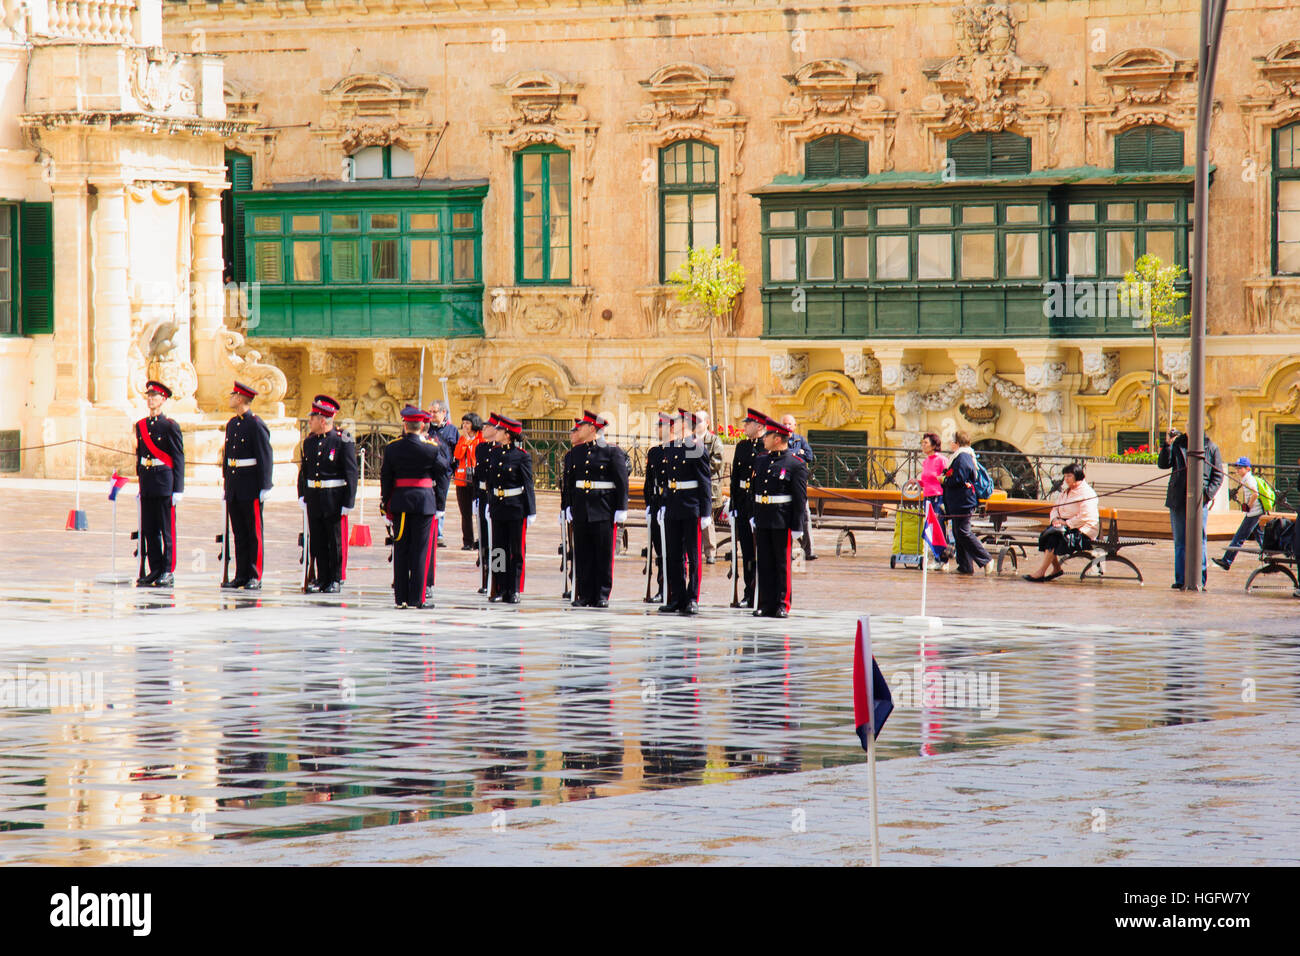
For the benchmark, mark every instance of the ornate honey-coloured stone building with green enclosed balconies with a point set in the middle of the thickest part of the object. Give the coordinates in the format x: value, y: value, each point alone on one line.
x: 934, y: 204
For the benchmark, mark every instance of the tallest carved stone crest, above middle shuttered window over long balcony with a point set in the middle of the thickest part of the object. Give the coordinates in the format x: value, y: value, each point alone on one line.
x: 987, y: 88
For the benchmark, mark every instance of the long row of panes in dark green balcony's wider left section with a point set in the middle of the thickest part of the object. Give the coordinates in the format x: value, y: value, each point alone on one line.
x: 900, y: 241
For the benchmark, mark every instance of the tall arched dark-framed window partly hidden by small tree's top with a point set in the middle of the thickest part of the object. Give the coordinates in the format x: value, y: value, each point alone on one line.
x: 688, y: 202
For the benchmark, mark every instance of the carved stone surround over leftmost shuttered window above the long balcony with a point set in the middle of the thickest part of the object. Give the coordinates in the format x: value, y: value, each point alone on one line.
x: 835, y: 97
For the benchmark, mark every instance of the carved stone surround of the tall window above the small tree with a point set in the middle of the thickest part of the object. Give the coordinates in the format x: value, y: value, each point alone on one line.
x: 690, y: 102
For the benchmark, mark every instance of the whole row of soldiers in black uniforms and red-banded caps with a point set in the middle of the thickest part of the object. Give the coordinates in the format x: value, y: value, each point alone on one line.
x: 769, y: 490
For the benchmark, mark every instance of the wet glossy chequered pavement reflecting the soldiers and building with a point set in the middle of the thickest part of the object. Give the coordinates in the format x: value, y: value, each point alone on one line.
x: 314, y: 716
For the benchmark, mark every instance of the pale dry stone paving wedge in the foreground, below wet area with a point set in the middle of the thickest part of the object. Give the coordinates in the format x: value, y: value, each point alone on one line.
x: 1220, y: 793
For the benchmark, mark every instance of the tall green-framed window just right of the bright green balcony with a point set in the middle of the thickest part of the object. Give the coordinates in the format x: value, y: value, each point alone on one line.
x: 543, y: 218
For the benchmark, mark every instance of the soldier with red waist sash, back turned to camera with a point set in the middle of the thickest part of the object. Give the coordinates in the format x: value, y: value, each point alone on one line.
x: 410, y: 498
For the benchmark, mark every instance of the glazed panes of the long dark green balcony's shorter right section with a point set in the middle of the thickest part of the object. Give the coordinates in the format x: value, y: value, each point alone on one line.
x: 1102, y: 237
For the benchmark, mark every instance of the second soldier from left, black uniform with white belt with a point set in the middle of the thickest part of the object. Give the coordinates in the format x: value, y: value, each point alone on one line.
x: 248, y: 468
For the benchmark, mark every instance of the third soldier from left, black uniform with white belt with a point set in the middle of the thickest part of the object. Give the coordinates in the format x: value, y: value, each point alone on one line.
x: 327, y: 490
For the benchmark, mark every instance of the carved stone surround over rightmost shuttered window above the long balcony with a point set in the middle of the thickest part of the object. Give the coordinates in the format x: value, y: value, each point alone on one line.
x: 1141, y: 86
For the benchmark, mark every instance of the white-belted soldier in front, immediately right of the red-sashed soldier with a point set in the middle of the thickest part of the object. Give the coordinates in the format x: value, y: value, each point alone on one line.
x: 513, y: 509
